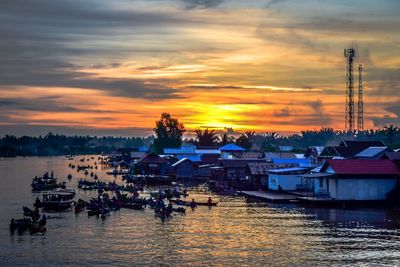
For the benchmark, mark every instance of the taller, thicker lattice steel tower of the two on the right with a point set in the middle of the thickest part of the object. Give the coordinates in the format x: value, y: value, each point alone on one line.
x: 349, y: 116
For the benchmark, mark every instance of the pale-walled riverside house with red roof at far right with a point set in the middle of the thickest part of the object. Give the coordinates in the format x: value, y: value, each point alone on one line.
x: 353, y: 180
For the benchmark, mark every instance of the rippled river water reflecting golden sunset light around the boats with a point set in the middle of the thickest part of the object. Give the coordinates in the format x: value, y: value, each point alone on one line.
x: 238, y: 232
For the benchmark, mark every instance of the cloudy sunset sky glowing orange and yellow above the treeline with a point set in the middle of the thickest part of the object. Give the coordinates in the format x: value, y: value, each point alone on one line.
x: 112, y: 67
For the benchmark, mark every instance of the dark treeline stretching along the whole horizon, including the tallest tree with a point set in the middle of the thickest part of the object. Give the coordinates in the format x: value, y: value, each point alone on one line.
x: 169, y: 133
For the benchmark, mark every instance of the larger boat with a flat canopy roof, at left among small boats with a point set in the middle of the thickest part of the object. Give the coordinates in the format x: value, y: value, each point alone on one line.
x: 56, y: 200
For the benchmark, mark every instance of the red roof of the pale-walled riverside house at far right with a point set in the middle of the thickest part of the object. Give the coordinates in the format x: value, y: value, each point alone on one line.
x: 363, y: 166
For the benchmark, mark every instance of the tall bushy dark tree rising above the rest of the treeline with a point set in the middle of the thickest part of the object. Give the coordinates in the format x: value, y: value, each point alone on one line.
x: 169, y: 132
